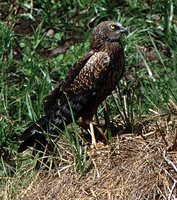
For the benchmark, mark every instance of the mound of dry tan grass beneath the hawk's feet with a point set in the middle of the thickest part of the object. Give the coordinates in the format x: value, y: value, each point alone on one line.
x: 133, y: 167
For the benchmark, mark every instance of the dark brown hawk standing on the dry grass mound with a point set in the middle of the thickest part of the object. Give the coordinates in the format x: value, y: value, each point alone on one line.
x: 88, y: 83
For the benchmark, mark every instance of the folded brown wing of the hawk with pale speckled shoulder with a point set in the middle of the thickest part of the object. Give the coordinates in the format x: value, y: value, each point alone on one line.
x: 81, y: 83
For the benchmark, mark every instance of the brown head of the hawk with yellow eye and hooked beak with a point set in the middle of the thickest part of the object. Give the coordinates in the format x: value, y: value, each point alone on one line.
x: 107, y: 31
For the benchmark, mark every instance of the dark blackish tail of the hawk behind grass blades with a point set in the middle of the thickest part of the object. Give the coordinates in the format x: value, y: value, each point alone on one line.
x: 35, y: 134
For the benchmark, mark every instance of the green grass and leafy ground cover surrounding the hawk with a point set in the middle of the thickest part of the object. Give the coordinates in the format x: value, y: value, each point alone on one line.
x: 39, y: 42
